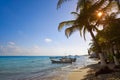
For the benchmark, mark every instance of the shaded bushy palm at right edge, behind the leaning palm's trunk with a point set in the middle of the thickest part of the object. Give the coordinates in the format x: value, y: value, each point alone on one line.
x: 110, y: 34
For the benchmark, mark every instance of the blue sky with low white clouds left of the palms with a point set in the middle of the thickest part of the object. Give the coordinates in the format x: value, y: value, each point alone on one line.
x: 30, y: 28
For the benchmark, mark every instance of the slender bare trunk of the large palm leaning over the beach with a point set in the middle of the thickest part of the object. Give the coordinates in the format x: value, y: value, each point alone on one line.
x: 102, y: 59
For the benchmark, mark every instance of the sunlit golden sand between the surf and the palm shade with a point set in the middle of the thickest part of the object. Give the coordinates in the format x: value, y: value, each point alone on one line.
x: 82, y: 73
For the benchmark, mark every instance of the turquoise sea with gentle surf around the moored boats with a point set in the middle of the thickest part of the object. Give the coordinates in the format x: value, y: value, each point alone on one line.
x: 37, y: 68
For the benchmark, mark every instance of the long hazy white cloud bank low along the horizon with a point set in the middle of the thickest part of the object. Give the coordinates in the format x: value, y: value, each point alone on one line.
x: 57, y: 49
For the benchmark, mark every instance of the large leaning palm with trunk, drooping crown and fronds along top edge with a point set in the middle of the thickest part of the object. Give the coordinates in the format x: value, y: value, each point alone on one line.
x: 86, y: 21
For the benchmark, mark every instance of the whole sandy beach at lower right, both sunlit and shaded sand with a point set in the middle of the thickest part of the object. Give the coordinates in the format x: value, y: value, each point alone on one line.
x: 88, y: 73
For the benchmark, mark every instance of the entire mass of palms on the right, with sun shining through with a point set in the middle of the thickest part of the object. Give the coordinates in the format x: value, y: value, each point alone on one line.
x: 92, y: 15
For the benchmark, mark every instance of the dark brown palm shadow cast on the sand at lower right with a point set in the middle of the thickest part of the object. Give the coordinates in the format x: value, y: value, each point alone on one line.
x: 114, y: 75
